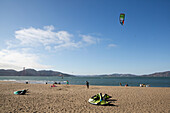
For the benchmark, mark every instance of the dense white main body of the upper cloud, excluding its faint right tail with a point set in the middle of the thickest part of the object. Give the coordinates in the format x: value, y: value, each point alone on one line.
x: 41, y: 37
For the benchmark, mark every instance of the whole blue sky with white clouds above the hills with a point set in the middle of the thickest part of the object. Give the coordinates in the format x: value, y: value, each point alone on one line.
x: 85, y: 37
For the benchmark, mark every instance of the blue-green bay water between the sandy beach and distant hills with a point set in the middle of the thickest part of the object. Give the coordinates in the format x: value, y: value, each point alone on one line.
x: 102, y: 81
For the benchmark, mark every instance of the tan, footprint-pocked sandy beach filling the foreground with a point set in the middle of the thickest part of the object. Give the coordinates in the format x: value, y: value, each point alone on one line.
x: 74, y: 99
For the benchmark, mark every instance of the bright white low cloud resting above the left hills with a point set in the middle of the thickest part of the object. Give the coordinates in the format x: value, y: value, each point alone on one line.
x: 16, y: 60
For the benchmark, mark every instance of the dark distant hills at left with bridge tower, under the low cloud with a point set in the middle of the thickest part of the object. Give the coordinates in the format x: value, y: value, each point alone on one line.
x: 32, y: 72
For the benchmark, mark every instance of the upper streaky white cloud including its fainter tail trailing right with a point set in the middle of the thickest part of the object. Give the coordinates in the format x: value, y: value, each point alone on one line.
x: 49, y: 39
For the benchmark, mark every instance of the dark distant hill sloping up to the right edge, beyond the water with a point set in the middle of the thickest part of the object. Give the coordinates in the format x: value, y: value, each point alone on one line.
x: 158, y: 74
